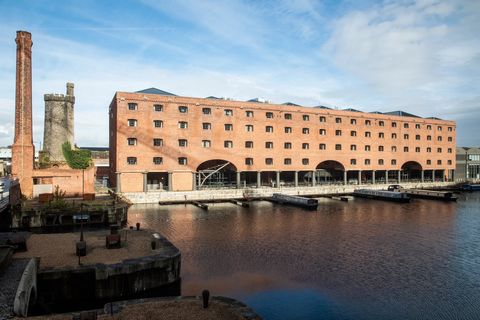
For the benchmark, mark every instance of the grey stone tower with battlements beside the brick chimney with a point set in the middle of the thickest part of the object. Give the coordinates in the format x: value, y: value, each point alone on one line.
x: 58, y: 126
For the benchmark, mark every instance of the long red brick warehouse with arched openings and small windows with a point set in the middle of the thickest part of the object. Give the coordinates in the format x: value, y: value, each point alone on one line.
x: 160, y: 141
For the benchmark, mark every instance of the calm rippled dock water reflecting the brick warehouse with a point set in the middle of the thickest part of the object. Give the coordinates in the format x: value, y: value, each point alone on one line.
x: 364, y: 259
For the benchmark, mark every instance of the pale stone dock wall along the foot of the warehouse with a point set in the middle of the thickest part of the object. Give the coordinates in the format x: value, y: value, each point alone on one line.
x: 225, y: 194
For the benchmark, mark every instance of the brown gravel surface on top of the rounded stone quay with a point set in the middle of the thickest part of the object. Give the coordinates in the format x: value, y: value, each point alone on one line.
x: 58, y: 250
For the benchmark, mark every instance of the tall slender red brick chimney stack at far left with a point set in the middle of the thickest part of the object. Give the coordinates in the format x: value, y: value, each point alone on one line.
x: 23, y: 150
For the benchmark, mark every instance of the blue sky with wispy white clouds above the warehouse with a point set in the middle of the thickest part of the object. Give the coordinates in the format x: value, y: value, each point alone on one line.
x: 420, y: 56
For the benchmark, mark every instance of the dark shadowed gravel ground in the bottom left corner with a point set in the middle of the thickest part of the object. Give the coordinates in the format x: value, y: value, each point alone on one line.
x: 9, y: 280
